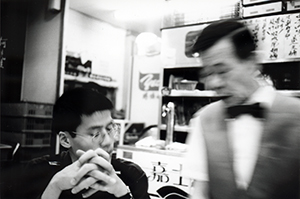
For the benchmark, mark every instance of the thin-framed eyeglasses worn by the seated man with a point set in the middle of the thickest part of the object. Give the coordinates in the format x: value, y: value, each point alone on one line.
x: 98, y: 134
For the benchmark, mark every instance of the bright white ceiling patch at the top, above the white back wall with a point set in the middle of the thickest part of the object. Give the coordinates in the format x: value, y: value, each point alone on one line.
x: 135, y: 15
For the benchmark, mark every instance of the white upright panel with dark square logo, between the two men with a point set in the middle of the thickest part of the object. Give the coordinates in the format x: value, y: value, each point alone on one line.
x: 145, y: 93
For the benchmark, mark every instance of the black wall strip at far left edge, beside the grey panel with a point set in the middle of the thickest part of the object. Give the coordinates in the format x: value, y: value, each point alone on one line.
x: 11, y: 71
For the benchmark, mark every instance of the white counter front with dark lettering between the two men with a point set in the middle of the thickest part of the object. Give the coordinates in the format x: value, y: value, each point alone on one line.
x: 162, y: 167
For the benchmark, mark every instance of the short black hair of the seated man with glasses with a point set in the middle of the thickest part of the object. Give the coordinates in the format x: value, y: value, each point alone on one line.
x: 75, y: 103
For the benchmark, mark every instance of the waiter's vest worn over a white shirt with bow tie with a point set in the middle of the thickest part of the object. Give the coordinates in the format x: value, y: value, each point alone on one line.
x: 276, y: 174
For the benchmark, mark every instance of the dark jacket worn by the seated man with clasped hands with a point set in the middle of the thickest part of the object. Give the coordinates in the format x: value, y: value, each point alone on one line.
x: 40, y: 171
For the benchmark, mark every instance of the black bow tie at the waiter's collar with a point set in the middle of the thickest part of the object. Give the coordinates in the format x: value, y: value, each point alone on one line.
x: 253, y: 109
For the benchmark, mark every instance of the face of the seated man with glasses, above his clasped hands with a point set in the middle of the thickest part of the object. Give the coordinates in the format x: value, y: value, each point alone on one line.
x: 96, y: 124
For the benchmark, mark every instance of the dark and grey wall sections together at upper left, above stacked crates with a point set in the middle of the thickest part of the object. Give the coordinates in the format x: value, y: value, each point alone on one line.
x: 32, y: 51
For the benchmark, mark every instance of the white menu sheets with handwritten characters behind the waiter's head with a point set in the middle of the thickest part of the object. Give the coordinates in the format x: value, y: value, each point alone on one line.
x: 277, y: 36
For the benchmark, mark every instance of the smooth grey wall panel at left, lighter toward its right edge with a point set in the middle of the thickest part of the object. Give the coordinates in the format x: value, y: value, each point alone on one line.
x: 42, y: 54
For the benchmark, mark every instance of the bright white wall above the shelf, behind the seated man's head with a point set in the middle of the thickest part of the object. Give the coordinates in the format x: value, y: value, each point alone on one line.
x: 101, y: 42
